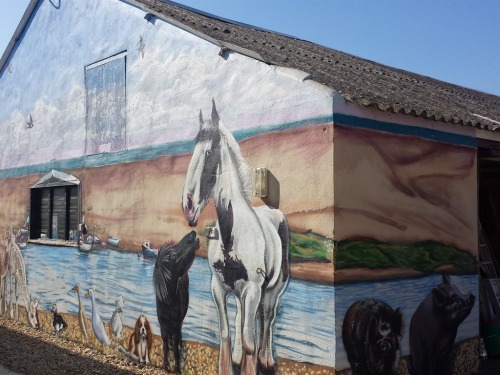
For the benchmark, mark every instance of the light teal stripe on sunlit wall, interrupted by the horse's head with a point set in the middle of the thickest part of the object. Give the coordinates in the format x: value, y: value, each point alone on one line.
x: 148, y: 152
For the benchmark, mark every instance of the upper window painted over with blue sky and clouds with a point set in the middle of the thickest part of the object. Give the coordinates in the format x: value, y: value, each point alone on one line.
x: 106, y: 111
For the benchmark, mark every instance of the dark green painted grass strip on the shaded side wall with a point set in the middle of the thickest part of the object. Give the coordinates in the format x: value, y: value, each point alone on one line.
x: 424, y: 256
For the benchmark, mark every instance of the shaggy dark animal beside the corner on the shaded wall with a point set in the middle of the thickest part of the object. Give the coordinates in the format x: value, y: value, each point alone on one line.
x: 370, y: 333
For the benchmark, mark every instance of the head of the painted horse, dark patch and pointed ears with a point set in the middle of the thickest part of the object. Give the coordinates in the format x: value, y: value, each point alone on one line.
x: 203, y: 168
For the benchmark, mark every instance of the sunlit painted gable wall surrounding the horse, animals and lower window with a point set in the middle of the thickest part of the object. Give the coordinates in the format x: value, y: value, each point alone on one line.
x: 131, y: 179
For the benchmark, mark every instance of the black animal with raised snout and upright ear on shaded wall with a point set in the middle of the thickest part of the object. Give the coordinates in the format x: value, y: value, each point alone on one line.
x: 433, y: 329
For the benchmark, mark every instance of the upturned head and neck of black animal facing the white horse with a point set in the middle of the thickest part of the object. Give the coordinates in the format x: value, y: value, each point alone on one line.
x: 172, y: 263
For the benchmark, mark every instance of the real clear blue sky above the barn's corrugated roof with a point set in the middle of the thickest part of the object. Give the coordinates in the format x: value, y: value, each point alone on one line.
x: 451, y: 40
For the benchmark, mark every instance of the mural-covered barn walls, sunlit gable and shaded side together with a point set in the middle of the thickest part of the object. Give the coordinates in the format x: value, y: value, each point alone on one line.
x: 124, y: 128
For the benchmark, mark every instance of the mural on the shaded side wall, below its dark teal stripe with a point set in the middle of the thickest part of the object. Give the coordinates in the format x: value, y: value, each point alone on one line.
x: 408, y: 283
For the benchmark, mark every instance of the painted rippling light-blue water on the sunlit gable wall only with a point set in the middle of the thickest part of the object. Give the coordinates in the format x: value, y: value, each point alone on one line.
x: 304, y: 327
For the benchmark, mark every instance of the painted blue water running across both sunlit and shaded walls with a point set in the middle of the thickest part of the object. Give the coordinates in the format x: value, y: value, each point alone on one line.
x: 305, y: 324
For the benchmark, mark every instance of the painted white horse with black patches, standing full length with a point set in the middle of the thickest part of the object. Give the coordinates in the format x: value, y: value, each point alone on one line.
x: 249, y: 254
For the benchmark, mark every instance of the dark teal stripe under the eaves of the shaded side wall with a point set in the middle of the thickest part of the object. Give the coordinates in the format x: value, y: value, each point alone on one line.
x: 389, y: 127
